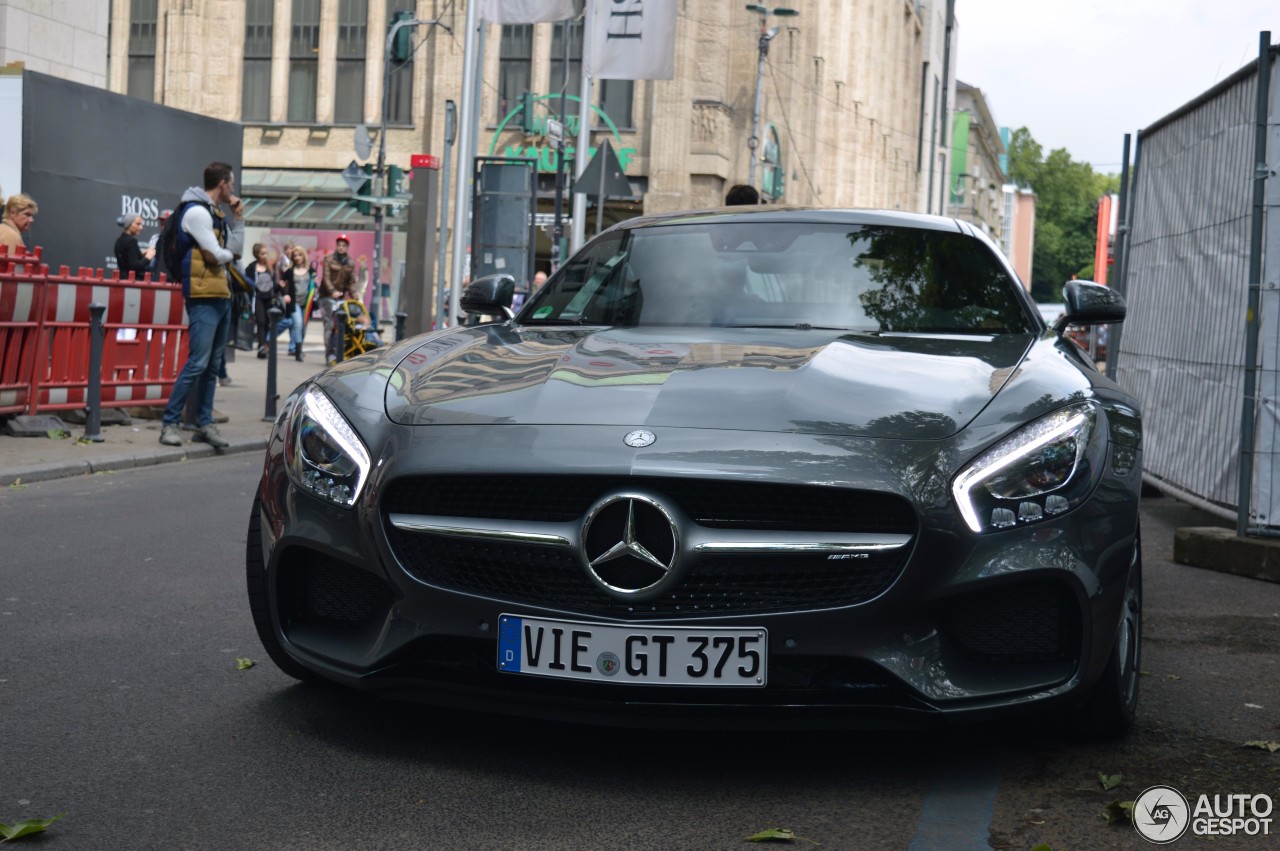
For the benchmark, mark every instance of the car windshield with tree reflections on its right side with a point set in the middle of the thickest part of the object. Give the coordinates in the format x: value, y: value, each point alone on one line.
x: 770, y: 274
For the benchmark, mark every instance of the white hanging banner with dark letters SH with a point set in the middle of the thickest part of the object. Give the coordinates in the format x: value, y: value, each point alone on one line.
x: 632, y: 40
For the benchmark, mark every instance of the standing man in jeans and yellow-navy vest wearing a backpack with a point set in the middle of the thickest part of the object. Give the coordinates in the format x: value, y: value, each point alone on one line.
x: 199, y: 243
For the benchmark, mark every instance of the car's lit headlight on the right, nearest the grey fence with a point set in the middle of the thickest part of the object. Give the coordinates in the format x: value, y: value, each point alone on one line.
x: 1040, y: 472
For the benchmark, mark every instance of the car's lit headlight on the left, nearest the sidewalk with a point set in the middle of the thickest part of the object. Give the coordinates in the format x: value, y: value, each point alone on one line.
x: 324, y: 456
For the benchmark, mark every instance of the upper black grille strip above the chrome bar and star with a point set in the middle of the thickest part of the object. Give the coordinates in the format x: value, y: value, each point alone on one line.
x: 708, y: 502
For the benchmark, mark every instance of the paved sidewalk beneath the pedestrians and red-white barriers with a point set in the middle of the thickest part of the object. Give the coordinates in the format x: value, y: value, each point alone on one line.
x: 28, y: 460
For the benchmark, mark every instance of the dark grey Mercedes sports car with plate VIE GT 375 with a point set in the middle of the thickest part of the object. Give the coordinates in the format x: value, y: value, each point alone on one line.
x: 733, y: 468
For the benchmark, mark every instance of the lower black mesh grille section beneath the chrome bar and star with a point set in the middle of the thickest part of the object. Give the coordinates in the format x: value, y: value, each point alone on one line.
x: 554, y: 578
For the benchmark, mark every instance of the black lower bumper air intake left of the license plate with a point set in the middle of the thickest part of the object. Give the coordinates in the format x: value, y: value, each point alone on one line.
x: 318, y: 591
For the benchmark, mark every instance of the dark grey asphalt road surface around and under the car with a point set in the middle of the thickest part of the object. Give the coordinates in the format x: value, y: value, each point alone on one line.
x: 122, y: 615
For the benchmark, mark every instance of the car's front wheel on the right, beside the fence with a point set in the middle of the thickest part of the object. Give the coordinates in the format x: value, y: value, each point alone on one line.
x: 1112, y: 704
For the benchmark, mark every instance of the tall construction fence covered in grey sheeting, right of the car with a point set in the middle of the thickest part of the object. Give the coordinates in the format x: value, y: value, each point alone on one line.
x: 1194, y: 276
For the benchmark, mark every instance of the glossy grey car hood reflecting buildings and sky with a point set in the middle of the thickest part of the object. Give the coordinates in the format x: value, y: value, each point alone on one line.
x: 877, y: 386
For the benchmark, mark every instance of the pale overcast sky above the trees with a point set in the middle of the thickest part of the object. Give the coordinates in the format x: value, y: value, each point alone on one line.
x: 1081, y: 75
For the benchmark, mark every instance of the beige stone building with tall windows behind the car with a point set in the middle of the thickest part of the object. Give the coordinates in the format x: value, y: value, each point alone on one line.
x: 849, y: 116
